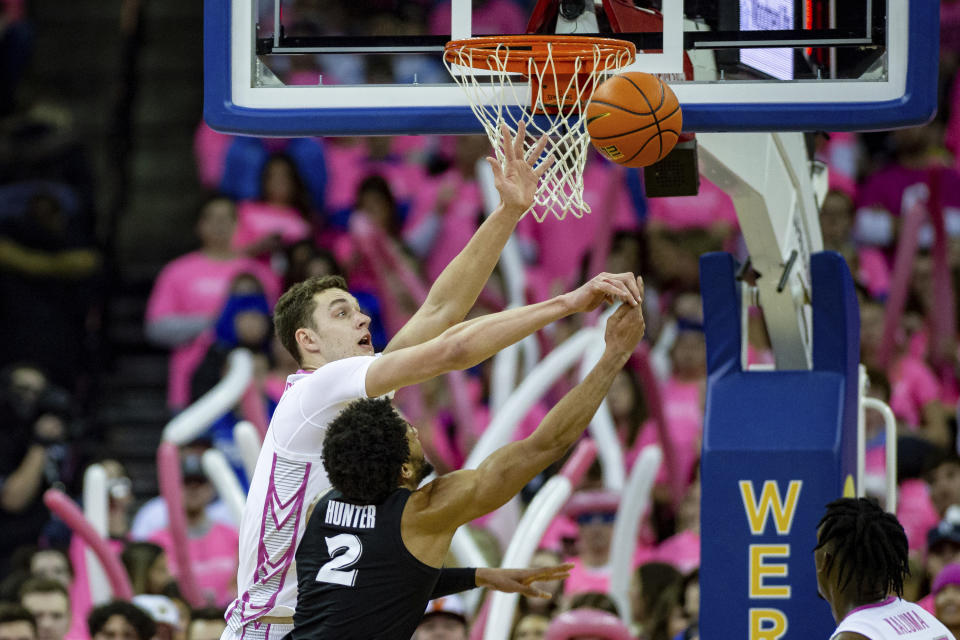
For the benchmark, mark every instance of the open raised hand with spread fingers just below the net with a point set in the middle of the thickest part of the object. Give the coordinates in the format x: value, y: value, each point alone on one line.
x: 517, y: 179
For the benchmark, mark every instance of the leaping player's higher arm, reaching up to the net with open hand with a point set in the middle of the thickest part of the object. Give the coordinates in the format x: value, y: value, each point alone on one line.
x: 456, y: 289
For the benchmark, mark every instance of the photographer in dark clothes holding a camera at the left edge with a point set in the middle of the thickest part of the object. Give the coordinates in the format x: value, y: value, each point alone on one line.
x: 35, y: 416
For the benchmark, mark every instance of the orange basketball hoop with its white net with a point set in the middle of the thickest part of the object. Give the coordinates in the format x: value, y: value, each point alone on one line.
x: 562, y: 72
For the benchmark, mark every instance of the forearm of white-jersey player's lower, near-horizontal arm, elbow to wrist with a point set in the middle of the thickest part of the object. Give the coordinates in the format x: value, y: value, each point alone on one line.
x: 476, y: 340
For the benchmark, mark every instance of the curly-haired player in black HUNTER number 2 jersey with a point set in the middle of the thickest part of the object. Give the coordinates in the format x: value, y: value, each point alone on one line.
x: 373, y: 547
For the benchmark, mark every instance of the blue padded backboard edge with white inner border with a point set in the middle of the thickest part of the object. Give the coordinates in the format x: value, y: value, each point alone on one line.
x: 906, y: 98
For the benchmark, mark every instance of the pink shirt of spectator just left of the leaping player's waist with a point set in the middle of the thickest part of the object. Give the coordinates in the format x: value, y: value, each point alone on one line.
x: 214, y: 560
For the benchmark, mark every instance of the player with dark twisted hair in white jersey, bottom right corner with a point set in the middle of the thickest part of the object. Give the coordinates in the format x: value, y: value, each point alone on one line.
x: 861, y: 559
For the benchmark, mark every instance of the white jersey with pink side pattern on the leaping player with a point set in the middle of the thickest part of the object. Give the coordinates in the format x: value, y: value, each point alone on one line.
x: 288, y: 476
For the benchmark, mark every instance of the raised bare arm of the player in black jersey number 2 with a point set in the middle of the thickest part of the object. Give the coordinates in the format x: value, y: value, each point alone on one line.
x: 461, y: 496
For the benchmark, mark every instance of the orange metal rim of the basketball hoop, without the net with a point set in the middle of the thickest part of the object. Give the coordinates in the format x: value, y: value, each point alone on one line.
x: 514, y: 52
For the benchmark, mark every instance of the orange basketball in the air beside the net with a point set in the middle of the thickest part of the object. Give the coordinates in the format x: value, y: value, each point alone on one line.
x: 634, y: 119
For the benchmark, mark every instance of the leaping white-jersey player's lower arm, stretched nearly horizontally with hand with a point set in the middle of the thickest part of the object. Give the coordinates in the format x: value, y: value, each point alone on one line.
x: 470, y: 343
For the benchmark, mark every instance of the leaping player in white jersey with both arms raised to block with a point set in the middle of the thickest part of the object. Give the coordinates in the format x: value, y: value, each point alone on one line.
x: 322, y: 326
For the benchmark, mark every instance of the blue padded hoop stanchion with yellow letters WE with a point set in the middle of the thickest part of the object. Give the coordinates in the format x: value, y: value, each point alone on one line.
x: 777, y: 447
